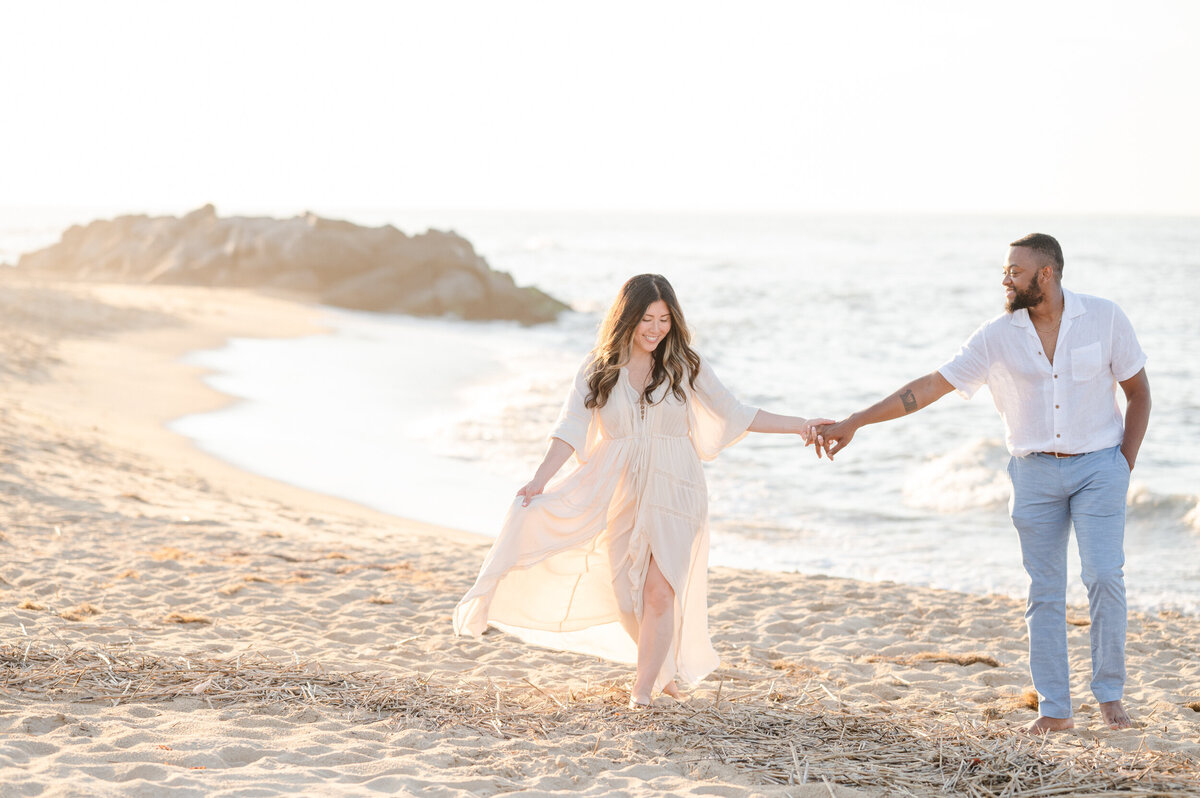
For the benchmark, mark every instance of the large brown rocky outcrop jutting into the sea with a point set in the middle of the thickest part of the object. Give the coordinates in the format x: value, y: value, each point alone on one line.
x: 333, y: 262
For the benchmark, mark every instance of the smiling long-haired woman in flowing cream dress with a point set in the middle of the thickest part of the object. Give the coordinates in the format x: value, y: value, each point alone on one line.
x: 611, y: 559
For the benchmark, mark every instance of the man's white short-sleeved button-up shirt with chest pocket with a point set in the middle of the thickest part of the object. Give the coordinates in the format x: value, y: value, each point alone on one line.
x: 1070, y: 406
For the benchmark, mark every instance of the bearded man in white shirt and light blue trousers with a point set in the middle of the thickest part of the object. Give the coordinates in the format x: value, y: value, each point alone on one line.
x: 1053, y: 363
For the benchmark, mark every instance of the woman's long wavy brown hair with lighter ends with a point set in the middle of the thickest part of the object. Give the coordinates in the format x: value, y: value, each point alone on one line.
x: 675, y: 361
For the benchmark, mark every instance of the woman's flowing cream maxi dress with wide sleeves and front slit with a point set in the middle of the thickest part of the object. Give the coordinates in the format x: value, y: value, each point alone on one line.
x: 567, y: 573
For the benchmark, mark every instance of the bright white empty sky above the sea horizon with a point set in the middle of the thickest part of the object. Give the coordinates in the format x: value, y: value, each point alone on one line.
x: 871, y: 106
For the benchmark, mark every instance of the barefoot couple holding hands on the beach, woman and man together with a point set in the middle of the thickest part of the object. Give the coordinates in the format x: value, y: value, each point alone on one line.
x: 610, y: 557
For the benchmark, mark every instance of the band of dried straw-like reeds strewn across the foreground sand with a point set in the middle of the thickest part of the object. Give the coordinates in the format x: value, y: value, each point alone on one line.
x: 773, y: 734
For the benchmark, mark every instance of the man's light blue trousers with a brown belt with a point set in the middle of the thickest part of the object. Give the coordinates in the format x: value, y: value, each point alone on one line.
x: 1051, y: 495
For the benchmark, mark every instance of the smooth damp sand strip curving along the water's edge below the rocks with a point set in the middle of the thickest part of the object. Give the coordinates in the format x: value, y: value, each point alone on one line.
x: 169, y: 389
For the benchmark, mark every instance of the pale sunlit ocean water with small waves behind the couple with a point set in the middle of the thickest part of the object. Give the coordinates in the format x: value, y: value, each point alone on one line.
x: 443, y: 421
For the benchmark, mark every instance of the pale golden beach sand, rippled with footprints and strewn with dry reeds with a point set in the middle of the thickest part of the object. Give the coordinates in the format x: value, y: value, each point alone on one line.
x: 175, y: 626
